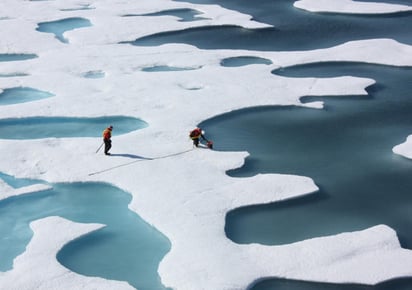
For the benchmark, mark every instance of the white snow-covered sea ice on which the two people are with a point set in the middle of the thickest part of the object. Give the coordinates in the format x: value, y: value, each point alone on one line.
x: 185, y: 196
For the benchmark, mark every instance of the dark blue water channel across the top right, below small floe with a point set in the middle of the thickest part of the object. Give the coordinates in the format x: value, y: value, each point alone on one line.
x: 294, y: 29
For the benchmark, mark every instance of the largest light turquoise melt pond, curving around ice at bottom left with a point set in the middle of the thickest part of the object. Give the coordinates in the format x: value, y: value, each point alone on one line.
x: 127, y: 249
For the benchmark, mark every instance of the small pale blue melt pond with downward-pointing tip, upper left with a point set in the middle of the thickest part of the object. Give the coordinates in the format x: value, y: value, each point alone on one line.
x: 59, y: 27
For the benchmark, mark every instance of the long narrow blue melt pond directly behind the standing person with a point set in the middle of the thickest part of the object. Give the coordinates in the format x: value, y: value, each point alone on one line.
x: 46, y: 127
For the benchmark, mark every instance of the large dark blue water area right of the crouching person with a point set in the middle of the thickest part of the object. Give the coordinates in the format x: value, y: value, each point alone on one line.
x: 346, y: 148
